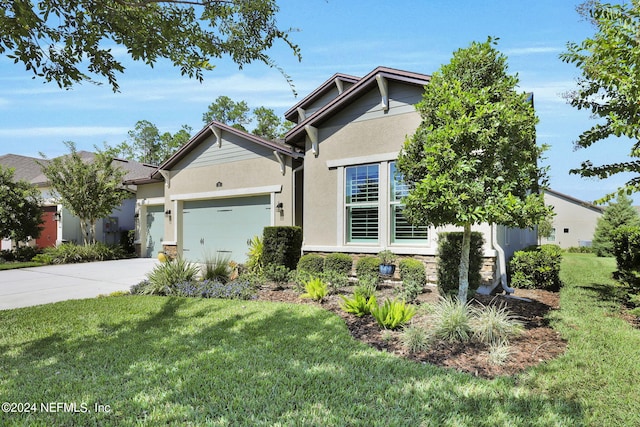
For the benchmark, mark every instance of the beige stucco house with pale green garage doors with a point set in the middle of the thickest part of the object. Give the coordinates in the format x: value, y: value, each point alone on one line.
x: 334, y: 175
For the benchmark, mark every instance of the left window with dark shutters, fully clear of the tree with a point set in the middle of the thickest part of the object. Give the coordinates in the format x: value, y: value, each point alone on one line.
x: 361, y: 194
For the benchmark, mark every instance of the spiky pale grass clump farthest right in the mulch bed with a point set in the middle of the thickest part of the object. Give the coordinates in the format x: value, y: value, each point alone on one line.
x: 494, y: 324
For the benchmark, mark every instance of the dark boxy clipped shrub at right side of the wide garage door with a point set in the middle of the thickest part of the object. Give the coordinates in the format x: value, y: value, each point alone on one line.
x: 282, y: 246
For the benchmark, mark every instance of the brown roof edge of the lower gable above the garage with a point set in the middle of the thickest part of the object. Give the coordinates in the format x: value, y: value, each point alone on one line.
x: 205, y: 133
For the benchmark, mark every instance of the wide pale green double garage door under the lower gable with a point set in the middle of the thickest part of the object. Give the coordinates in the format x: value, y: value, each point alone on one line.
x: 223, y: 226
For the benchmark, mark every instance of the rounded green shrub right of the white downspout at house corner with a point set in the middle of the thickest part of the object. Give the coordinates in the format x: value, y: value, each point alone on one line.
x: 536, y: 267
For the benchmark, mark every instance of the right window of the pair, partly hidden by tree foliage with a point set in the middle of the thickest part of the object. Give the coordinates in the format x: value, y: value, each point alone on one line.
x: 402, y: 231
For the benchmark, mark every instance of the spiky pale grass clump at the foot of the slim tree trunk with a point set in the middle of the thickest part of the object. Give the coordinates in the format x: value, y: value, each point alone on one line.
x: 452, y: 320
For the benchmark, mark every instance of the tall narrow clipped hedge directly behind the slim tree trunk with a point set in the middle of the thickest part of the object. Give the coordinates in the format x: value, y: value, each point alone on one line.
x: 449, y: 252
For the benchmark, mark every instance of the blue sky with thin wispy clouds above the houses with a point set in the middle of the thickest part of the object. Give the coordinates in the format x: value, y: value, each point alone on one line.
x: 346, y: 36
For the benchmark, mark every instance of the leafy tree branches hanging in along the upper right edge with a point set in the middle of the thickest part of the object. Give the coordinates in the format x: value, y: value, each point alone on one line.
x: 609, y: 86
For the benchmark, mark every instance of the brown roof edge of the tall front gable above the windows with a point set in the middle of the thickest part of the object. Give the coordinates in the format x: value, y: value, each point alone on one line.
x: 295, y: 135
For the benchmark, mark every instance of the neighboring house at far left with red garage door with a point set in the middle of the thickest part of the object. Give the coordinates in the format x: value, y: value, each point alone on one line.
x: 59, y: 224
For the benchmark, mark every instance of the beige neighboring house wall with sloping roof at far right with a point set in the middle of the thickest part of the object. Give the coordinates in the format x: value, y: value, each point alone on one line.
x: 575, y: 220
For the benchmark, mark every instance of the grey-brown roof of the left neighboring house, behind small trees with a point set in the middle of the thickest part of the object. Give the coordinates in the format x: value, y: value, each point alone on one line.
x: 28, y: 169
